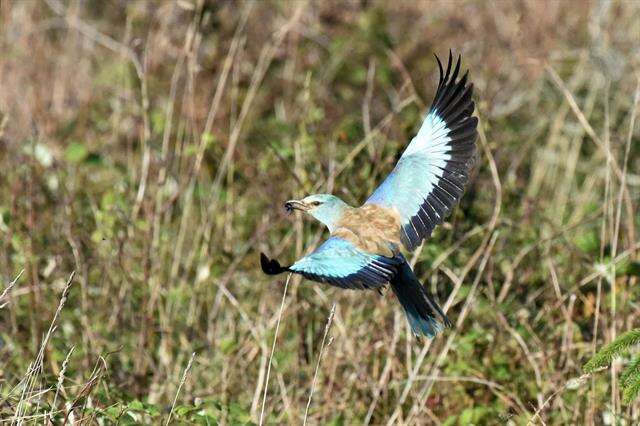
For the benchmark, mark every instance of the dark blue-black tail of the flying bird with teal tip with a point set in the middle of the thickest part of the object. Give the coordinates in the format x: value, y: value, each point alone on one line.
x: 422, y: 311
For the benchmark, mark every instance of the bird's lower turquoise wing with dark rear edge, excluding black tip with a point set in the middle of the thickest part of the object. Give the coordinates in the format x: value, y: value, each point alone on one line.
x: 340, y: 263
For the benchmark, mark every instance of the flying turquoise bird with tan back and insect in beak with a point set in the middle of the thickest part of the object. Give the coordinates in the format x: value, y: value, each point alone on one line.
x: 364, y: 248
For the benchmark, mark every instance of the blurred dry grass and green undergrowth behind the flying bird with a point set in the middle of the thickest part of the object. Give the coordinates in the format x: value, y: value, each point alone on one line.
x: 147, y: 148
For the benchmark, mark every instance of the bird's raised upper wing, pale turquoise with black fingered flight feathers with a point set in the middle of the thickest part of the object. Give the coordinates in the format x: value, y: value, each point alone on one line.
x: 430, y: 177
